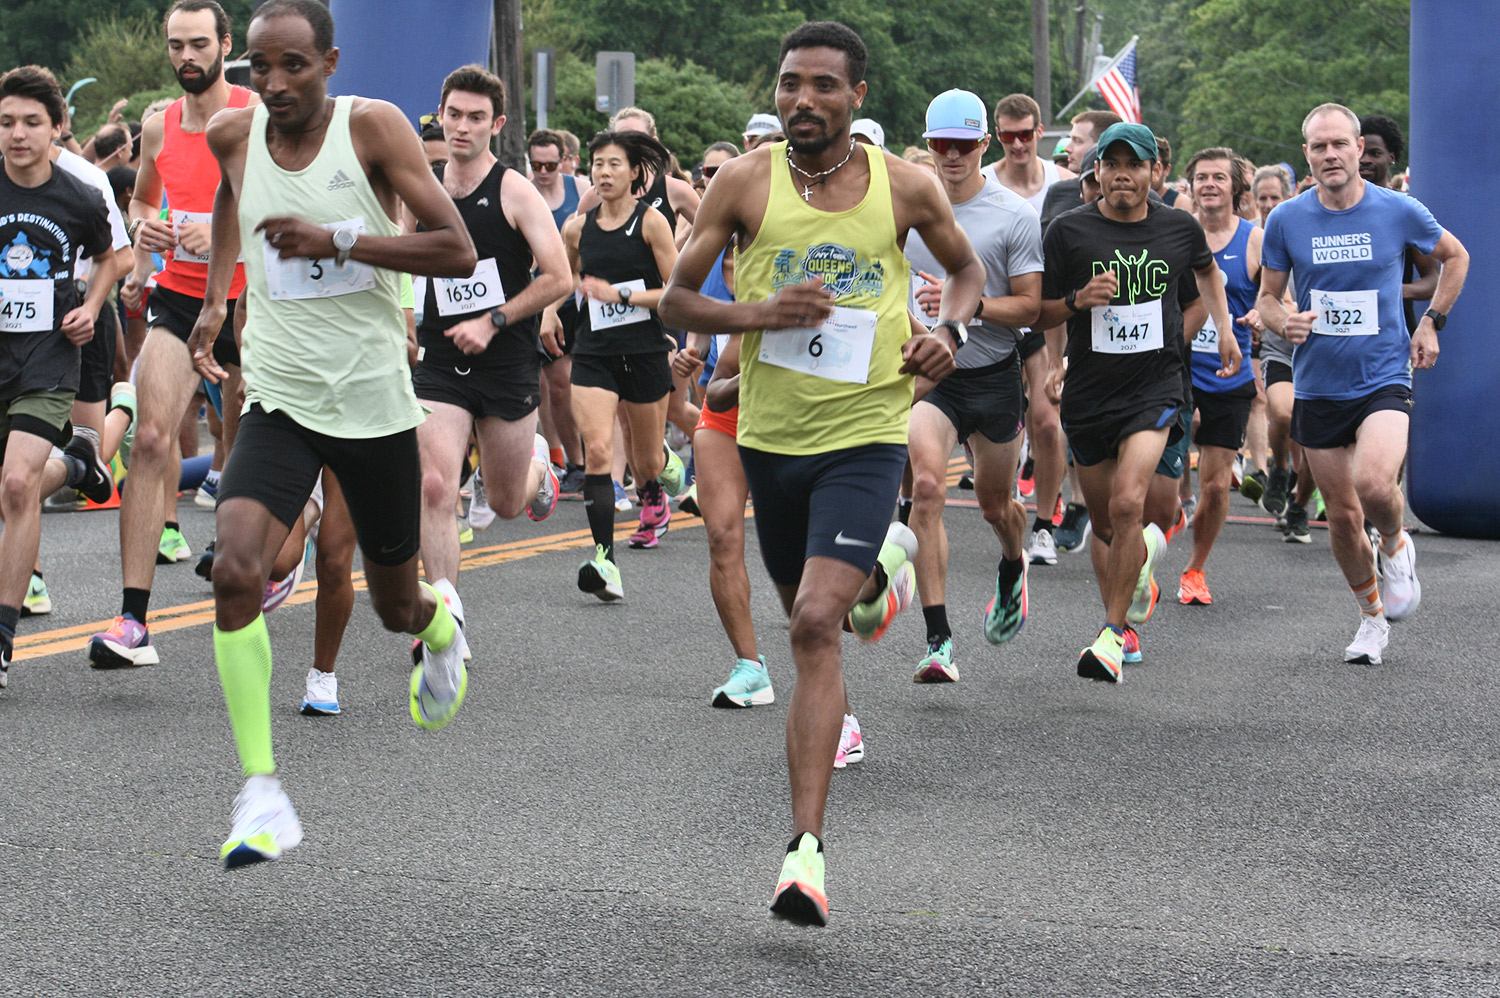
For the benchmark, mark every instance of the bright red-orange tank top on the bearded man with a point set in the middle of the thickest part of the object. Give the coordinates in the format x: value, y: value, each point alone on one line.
x: 190, y: 178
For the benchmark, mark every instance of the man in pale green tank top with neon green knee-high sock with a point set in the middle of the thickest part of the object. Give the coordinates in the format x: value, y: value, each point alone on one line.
x: 326, y: 371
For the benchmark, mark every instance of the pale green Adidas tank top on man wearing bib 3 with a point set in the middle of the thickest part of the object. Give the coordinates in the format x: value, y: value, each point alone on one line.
x: 325, y: 344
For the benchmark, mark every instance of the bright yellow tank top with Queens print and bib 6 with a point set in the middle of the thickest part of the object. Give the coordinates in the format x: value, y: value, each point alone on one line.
x: 800, y: 412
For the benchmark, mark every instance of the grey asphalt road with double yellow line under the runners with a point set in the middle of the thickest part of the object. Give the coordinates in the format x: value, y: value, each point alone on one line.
x: 1244, y: 816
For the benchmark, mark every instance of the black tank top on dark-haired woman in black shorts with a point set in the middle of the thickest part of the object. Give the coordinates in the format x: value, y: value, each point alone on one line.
x: 619, y: 256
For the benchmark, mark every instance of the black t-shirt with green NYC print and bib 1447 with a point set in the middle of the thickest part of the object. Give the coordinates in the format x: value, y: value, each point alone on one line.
x: 1129, y: 355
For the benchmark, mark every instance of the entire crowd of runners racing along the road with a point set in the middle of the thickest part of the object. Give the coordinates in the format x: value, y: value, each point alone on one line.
x: 385, y: 323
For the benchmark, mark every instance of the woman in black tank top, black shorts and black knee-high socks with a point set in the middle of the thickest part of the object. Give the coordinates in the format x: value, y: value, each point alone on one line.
x: 622, y: 253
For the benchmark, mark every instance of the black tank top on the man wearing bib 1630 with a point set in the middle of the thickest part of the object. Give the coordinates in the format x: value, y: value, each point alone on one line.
x: 502, y: 247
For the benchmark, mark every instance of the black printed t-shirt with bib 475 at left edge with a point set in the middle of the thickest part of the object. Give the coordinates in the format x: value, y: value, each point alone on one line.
x: 44, y: 232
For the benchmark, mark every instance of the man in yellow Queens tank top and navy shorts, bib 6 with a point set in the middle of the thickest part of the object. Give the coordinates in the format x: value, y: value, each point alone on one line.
x: 826, y: 383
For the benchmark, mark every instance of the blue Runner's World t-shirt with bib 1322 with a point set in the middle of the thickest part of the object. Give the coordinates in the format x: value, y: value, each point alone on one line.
x: 1343, y: 263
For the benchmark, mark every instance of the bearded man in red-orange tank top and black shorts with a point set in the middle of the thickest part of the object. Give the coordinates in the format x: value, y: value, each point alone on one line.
x: 175, y: 164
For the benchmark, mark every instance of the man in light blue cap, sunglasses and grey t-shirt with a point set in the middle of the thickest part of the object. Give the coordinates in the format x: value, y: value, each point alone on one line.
x: 982, y: 404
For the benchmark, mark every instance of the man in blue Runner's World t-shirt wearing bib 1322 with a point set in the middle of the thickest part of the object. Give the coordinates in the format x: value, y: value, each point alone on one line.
x: 1352, y: 367
